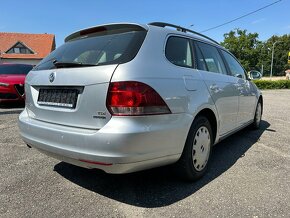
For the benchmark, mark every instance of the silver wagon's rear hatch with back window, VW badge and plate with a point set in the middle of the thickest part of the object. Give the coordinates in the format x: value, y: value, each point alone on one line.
x: 69, y: 87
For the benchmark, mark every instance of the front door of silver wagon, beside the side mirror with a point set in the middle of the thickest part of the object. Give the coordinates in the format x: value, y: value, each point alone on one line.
x: 247, y: 97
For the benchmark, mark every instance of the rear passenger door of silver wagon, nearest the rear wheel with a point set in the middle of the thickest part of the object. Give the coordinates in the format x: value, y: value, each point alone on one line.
x: 214, y: 74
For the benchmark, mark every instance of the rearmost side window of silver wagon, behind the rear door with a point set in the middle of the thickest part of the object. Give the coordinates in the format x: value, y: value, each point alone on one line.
x: 178, y: 51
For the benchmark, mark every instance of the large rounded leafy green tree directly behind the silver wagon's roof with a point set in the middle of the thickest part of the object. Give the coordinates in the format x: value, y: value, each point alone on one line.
x: 245, y: 46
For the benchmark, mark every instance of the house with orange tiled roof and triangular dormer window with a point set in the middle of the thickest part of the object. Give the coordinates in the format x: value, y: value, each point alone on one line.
x: 25, y: 48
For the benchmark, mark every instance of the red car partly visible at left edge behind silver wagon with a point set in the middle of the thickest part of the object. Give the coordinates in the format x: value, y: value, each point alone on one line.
x: 12, y: 78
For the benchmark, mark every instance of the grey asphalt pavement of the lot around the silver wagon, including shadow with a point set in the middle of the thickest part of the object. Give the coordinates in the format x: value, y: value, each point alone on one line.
x: 249, y: 177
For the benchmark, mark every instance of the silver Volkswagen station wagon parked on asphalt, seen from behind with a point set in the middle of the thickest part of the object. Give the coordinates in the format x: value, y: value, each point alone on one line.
x: 127, y: 97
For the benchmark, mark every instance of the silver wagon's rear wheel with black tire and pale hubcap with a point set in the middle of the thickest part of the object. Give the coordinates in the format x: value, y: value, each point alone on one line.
x: 196, y: 154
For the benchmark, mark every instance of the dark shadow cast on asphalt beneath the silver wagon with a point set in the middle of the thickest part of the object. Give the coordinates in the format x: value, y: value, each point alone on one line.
x: 161, y: 187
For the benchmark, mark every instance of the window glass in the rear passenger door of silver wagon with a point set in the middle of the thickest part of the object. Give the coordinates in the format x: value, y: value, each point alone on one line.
x: 212, y: 58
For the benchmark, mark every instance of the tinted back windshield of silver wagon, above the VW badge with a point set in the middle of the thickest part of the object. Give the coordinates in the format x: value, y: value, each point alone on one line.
x: 97, y: 48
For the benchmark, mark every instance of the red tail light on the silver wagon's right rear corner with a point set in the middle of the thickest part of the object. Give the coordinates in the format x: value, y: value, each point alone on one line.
x: 134, y: 99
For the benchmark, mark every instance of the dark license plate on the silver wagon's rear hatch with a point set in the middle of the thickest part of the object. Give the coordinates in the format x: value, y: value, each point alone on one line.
x: 58, y: 97
